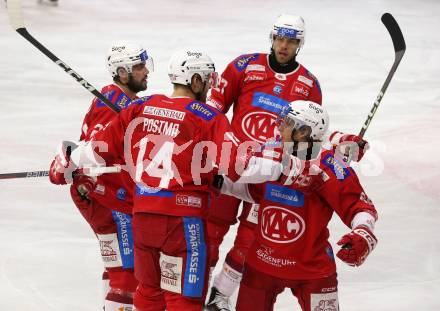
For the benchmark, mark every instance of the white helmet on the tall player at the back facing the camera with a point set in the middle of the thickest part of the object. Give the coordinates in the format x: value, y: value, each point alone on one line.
x: 290, y: 26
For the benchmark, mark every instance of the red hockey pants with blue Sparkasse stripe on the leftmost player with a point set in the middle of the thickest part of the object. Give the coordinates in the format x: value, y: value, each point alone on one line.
x: 114, y: 232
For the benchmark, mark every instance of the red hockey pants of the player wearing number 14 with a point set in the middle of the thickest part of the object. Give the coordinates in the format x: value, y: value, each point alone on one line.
x: 171, y: 261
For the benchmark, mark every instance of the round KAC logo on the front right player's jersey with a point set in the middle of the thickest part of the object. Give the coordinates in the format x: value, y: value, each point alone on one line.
x: 280, y: 225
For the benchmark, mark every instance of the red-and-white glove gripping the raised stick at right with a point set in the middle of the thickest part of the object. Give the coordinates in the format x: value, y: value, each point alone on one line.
x: 350, y: 147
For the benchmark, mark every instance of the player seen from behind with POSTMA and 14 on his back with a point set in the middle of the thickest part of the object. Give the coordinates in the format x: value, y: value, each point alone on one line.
x: 170, y: 145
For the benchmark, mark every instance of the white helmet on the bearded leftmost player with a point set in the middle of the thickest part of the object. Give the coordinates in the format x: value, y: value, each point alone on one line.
x: 126, y: 55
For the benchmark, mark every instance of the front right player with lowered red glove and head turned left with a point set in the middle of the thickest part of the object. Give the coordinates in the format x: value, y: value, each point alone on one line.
x: 291, y: 249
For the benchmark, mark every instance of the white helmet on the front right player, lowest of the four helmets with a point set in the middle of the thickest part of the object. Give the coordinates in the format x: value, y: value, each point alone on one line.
x: 307, y: 113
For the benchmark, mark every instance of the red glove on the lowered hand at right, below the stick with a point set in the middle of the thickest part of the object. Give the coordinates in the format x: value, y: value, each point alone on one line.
x: 356, y: 246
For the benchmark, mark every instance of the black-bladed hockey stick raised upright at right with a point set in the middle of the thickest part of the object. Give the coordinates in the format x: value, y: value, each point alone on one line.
x: 399, y: 49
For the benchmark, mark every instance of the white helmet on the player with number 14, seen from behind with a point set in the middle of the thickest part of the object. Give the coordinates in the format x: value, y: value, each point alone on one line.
x: 185, y: 63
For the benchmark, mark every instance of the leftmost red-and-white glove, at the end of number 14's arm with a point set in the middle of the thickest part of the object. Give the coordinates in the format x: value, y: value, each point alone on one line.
x: 61, y: 169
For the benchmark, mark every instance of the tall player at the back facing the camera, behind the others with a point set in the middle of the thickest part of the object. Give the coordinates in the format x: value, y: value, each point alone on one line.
x: 258, y: 86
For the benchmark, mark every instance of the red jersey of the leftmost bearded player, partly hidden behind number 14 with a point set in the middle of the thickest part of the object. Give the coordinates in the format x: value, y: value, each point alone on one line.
x: 111, y: 190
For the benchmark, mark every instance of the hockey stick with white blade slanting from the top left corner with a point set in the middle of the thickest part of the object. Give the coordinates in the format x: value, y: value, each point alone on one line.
x: 16, y: 20
